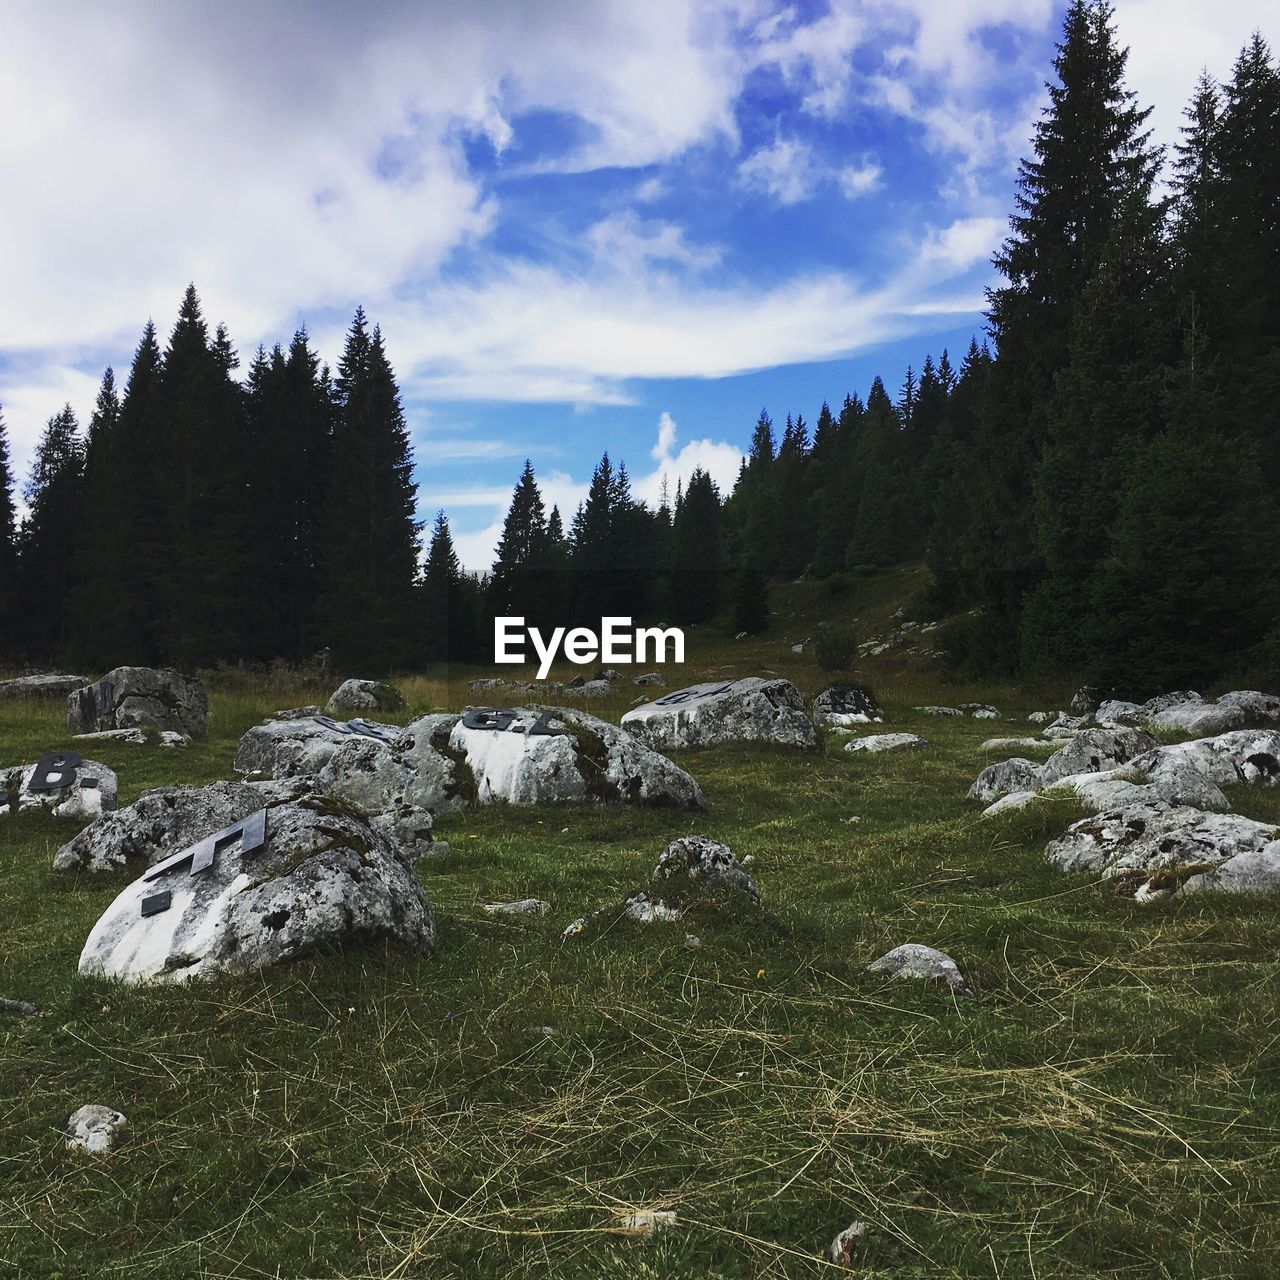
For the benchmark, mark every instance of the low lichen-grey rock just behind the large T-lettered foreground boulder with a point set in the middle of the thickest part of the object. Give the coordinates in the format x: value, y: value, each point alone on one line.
x: 159, y: 824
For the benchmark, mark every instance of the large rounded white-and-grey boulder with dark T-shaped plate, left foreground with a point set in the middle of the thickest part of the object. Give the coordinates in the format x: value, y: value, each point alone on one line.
x: 323, y: 879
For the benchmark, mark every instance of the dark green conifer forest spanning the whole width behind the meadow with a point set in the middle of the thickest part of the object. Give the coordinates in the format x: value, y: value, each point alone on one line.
x: 1094, y: 487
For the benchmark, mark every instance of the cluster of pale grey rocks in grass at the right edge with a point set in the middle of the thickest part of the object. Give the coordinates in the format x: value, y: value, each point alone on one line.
x: 1162, y: 824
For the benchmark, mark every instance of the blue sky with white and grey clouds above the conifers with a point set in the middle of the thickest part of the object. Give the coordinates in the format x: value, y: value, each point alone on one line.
x: 584, y: 226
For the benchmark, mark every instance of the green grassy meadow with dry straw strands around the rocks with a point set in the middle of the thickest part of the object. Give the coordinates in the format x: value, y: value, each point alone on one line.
x: 1109, y: 1107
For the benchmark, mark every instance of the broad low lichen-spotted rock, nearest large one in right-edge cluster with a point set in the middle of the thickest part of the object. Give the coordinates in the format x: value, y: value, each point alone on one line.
x: 1158, y: 849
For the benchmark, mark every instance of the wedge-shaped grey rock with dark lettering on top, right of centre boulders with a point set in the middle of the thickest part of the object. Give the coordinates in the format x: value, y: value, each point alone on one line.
x: 737, y: 711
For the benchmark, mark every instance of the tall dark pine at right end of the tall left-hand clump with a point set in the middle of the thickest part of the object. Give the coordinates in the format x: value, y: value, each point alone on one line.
x: 369, y: 606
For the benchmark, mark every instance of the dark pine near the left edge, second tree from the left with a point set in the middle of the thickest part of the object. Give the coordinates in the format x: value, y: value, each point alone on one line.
x: 49, y: 545
